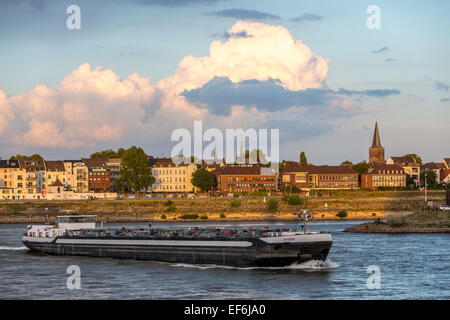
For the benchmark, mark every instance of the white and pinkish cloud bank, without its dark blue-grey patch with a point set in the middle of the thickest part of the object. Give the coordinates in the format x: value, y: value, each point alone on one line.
x: 94, y: 108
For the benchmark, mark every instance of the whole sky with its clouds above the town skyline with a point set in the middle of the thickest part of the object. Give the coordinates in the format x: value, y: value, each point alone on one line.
x: 137, y: 70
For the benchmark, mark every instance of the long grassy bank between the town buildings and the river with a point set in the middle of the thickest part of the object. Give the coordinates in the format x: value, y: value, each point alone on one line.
x: 356, y: 205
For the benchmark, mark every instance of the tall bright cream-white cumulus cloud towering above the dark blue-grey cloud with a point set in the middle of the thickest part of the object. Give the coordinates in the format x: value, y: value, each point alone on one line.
x: 268, y: 52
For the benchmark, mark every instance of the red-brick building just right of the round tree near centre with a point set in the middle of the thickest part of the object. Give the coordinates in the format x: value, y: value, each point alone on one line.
x: 245, y: 179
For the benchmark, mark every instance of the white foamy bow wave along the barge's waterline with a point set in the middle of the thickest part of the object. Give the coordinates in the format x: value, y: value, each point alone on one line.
x: 313, y: 265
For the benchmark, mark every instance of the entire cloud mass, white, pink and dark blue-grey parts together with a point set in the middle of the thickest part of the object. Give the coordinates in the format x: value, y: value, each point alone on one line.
x: 259, y: 76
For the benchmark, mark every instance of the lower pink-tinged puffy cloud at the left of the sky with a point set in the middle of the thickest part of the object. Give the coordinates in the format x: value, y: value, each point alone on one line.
x: 90, y: 106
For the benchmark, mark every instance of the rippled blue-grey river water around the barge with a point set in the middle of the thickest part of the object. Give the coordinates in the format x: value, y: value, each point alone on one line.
x: 412, y: 266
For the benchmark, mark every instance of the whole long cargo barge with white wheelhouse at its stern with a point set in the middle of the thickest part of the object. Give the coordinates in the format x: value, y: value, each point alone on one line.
x: 238, y: 247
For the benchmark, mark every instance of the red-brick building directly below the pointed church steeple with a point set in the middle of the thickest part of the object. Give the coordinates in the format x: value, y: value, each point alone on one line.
x: 384, y: 175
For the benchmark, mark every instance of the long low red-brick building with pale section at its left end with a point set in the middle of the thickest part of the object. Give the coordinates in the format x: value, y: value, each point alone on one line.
x: 323, y: 177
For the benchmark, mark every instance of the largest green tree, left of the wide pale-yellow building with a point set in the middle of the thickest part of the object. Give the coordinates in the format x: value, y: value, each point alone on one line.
x: 135, y: 170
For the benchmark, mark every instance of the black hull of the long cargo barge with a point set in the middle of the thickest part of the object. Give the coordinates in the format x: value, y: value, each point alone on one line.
x: 259, y: 254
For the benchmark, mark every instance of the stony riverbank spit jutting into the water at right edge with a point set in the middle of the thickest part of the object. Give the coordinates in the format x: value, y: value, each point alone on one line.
x: 420, y: 222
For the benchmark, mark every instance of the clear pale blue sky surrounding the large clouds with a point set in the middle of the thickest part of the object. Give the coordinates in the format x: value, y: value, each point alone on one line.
x: 408, y: 54
